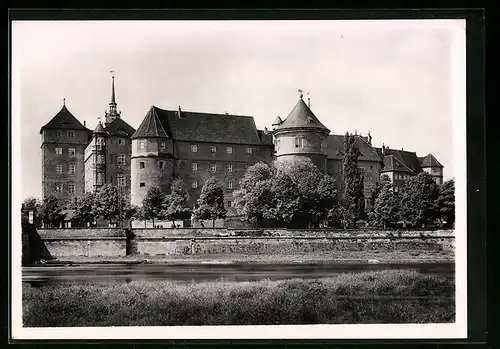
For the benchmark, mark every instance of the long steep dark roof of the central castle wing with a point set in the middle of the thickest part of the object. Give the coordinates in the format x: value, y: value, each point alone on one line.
x: 206, y: 127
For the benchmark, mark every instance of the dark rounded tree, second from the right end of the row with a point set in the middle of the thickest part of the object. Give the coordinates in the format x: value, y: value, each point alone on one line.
x: 418, y: 203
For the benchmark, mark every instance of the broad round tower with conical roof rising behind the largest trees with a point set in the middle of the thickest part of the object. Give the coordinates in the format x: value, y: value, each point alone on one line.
x: 301, y: 135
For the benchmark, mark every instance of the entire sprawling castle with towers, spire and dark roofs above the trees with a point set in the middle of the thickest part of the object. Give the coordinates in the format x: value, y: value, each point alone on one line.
x: 194, y: 146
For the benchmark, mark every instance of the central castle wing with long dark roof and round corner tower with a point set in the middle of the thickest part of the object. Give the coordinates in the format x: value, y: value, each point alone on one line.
x: 195, y: 146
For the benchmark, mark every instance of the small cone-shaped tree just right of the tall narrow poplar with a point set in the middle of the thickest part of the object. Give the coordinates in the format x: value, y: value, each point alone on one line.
x: 386, y: 208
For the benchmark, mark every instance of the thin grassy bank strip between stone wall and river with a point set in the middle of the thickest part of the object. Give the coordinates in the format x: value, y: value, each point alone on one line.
x: 316, y: 258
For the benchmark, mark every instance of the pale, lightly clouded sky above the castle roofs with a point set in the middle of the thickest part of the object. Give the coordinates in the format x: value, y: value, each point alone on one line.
x: 392, y: 78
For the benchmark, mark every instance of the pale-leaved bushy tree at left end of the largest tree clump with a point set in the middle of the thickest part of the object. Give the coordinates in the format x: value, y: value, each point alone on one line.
x: 254, y: 194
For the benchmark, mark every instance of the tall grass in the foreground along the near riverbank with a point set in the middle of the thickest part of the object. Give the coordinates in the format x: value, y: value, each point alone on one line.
x: 393, y: 296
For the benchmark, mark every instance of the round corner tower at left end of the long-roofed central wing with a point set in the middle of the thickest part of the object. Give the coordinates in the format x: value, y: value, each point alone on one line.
x: 151, y: 162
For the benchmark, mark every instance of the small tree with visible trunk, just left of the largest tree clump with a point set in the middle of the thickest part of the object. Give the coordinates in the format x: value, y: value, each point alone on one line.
x: 211, y: 202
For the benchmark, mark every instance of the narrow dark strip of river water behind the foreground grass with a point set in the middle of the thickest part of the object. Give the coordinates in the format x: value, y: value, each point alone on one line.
x: 197, y: 273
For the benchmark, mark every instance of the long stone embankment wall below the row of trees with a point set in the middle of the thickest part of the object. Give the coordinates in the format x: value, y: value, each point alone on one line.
x: 116, y: 242
